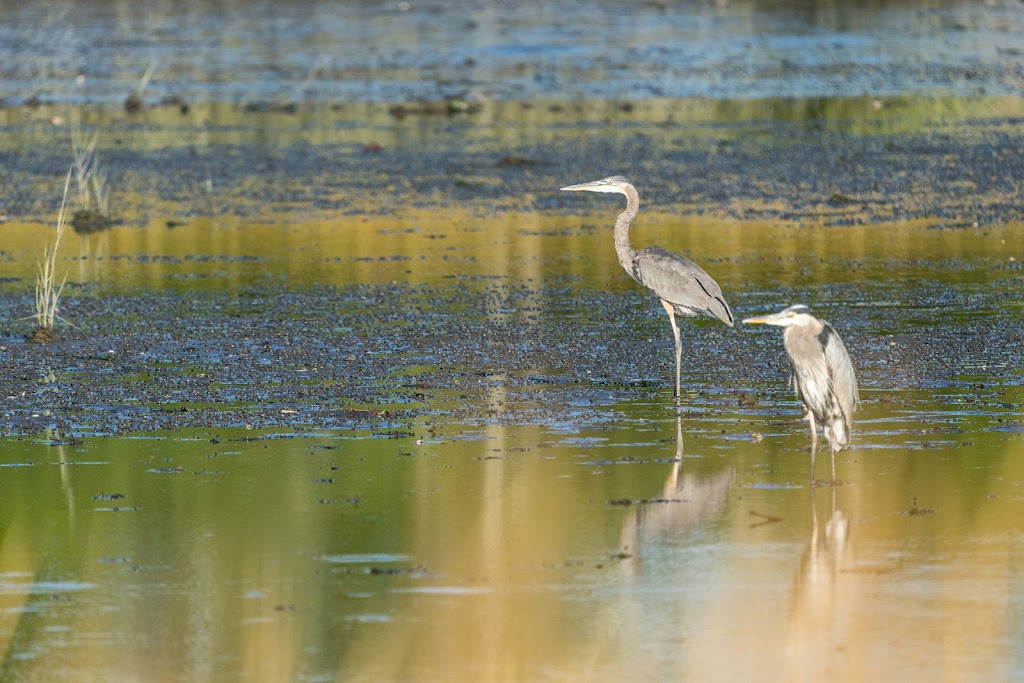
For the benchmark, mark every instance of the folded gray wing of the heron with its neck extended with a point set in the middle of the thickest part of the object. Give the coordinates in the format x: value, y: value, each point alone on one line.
x: 681, y: 282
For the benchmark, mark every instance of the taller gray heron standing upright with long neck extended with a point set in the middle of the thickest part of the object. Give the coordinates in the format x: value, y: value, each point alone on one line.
x: 681, y: 285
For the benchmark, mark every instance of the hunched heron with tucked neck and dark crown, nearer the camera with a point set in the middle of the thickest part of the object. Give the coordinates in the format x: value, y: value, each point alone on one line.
x: 823, y: 374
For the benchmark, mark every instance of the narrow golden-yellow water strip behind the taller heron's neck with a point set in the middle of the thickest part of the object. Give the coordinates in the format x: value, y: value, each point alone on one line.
x: 534, y: 249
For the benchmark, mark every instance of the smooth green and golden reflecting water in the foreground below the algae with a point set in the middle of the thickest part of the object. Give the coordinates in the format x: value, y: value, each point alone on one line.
x: 517, y: 553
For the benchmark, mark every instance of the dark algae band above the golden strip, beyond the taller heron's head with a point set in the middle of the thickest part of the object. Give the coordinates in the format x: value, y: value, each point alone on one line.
x: 845, y: 163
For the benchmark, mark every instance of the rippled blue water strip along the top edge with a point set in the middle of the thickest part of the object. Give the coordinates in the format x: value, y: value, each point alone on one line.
x: 365, y: 52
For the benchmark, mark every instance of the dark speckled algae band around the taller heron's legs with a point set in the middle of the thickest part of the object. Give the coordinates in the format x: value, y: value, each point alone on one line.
x: 349, y: 358
